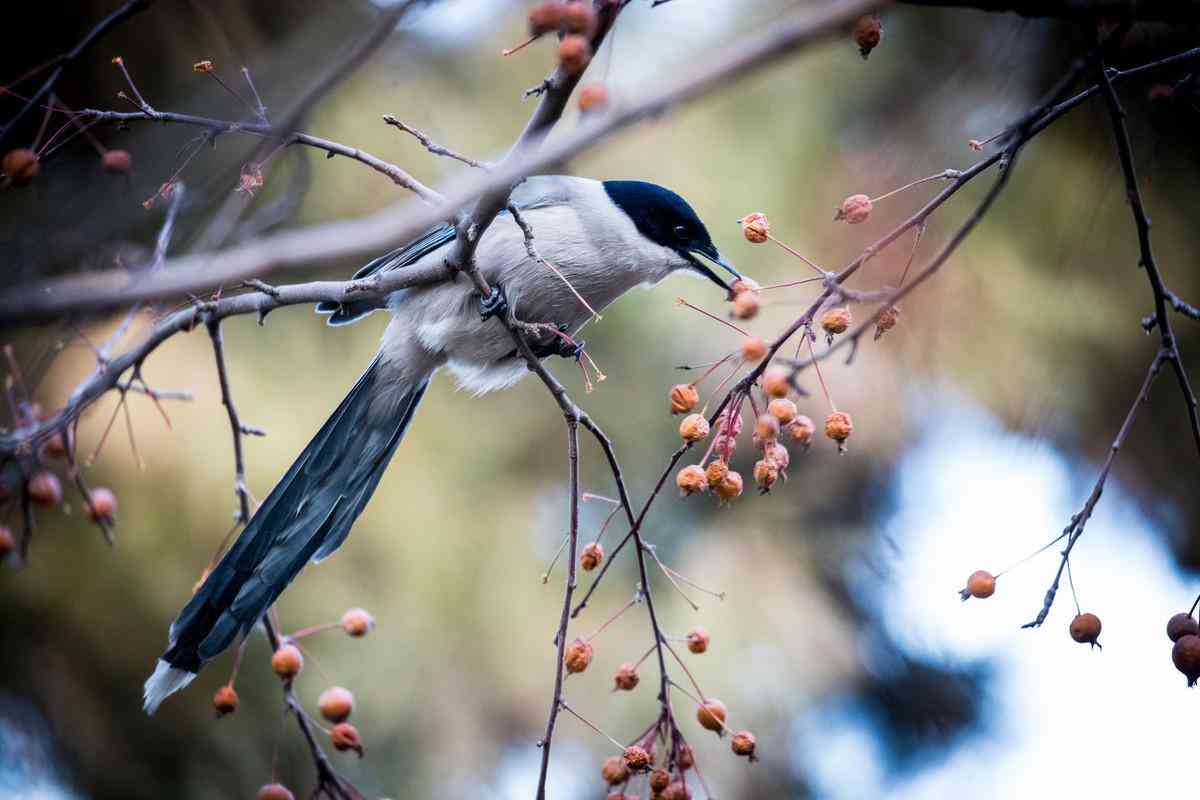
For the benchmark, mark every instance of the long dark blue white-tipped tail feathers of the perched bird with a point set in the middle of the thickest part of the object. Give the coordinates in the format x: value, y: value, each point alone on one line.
x: 307, y: 518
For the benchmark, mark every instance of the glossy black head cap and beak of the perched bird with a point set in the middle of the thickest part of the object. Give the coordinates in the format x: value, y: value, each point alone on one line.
x: 665, y: 219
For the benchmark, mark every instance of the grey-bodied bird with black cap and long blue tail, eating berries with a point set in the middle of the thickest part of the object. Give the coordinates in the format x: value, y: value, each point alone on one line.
x: 605, y: 237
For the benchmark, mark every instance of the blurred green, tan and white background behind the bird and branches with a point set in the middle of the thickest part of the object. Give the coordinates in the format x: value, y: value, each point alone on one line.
x: 981, y: 423
